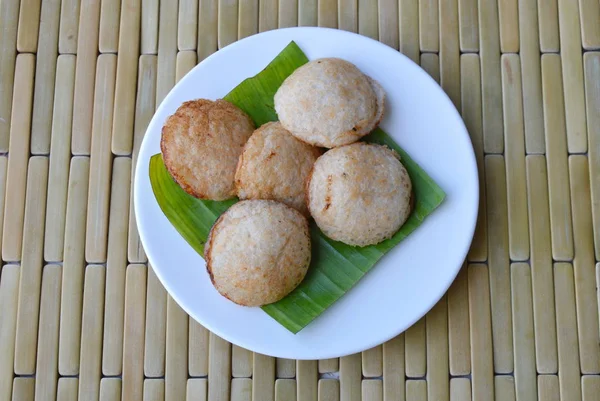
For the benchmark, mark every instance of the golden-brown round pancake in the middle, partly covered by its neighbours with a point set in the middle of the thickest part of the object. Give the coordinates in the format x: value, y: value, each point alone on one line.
x: 274, y: 165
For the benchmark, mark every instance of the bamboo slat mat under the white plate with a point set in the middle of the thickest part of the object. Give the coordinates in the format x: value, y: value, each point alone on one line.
x: 82, y: 315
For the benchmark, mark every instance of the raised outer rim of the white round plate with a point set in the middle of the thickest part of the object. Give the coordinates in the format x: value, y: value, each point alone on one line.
x: 366, y: 344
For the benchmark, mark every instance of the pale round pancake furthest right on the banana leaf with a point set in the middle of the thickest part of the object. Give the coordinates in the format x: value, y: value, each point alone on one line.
x: 359, y: 194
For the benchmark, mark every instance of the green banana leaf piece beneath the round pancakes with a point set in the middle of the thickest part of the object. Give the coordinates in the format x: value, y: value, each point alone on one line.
x: 335, y: 267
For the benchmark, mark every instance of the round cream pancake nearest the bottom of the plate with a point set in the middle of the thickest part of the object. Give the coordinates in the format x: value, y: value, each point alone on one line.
x: 258, y: 251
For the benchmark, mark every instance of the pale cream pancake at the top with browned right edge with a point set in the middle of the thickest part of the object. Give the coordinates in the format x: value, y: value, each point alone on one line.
x: 329, y: 102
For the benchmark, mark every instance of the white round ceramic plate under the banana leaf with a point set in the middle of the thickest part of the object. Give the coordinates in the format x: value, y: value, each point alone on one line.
x: 407, y: 282
